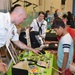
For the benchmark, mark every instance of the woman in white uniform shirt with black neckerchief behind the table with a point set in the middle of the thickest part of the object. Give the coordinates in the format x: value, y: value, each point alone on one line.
x: 38, y: 27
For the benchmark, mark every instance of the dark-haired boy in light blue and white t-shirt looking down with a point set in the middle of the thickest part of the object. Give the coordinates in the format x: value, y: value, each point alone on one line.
x: 65, y: 48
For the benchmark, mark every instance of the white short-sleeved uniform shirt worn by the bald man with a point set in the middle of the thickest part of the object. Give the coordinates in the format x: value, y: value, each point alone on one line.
x: 8, y: 31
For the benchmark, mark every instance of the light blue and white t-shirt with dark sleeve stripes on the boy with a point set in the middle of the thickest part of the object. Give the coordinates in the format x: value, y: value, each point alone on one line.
x: 65, y: 45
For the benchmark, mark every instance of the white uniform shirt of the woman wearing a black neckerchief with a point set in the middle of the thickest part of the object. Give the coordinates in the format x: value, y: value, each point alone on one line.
x: 36, y: 28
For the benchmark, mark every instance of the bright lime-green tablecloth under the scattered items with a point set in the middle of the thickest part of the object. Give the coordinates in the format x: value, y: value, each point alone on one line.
x: 46, y: 71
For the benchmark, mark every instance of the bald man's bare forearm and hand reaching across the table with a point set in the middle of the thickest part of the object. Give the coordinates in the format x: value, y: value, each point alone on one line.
x: 23, y: 46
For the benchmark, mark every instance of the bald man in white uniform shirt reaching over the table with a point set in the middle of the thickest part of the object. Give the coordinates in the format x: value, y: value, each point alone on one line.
x: 8, y: 30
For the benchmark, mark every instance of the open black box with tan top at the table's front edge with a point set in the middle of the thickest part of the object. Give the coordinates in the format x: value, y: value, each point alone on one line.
x: 20, y: 69
